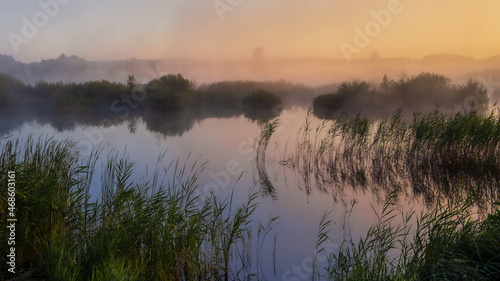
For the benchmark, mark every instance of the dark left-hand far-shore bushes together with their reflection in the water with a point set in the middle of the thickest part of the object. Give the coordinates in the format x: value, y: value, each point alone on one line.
x: 169, y: 105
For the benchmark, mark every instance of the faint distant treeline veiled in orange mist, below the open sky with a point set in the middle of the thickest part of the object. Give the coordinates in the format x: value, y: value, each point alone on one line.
x: 309, y: 71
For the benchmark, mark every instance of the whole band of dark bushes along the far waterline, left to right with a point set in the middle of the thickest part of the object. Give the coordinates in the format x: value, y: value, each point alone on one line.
x: 260, y: 101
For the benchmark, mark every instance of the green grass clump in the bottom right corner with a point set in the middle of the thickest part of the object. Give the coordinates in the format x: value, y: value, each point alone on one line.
x: 447, y: 243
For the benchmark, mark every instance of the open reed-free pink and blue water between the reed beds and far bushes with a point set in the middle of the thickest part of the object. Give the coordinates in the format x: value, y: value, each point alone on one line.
x: 224, y: 148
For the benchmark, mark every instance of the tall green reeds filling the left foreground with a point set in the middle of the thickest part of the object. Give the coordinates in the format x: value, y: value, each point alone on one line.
x: 134, y: 231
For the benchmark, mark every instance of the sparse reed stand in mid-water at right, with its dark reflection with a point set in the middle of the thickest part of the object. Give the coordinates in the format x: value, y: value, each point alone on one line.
x: 435, y: 154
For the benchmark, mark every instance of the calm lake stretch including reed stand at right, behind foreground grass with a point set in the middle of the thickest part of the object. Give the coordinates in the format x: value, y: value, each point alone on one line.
x: 302, y: 169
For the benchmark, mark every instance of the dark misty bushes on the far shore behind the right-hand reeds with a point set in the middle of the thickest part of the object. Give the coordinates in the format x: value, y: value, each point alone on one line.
x: 421, y: 92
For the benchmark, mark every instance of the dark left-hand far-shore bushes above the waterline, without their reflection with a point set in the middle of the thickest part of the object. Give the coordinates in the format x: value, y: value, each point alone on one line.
x: 167, y: 94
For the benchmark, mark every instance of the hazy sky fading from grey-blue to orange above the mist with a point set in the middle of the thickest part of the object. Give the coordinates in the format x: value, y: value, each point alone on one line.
x: 220, y: 29
